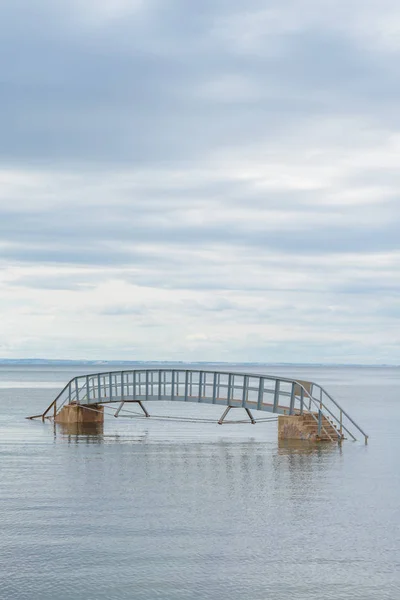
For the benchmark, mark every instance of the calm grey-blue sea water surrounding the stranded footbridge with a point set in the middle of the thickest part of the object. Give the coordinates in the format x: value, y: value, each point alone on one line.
x: 182, y: 508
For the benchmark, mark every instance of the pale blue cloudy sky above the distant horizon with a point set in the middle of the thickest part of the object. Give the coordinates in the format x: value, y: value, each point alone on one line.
x: 214, y: 180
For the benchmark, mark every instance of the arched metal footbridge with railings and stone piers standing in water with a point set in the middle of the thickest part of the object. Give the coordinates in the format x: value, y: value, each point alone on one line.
x: 305, y: 409
